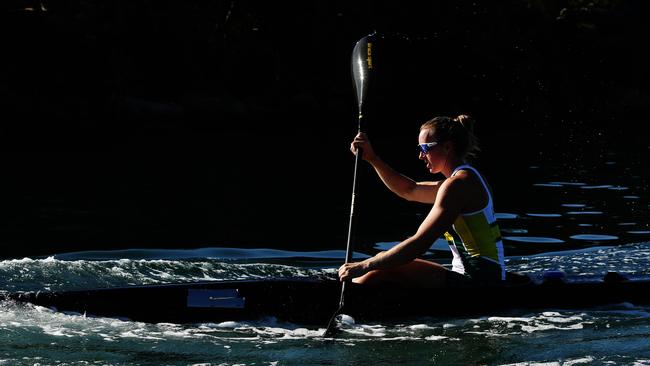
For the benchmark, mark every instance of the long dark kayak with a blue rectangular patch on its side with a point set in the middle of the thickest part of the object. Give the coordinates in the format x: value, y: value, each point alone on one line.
x: 313, y: 300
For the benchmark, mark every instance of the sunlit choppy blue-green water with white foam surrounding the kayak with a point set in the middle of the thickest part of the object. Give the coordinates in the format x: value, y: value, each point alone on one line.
x: 616, y: 334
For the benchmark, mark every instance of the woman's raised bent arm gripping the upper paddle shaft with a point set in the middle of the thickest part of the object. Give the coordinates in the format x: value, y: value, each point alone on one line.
x: 398, y: 183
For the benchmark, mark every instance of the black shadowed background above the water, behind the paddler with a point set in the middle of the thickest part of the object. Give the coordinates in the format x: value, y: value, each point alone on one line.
x: 227, y: 123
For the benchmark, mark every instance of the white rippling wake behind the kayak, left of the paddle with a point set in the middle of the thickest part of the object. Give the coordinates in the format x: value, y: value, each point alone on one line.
x: 54, y: 274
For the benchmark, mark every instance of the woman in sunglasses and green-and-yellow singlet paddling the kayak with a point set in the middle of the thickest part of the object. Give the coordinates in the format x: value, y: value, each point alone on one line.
x: 462, y: 200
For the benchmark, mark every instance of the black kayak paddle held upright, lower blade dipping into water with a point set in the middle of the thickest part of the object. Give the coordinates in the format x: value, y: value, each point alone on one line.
x: 361, y: 69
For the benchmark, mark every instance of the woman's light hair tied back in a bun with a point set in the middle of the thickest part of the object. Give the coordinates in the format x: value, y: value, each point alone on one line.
x: 459, y: 130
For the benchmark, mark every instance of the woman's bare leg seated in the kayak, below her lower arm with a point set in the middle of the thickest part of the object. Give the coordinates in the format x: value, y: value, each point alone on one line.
x: 418, y: 273
